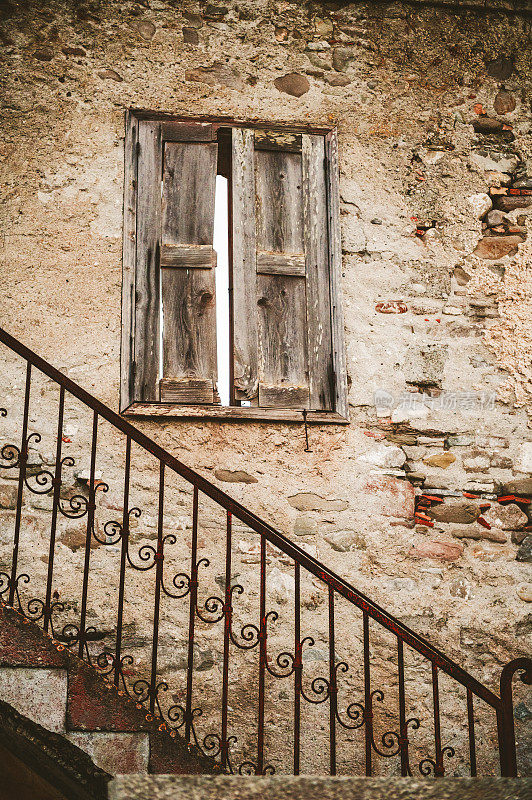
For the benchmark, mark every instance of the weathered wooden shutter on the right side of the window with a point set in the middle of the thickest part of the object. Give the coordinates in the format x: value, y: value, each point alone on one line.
x: 281, y: 287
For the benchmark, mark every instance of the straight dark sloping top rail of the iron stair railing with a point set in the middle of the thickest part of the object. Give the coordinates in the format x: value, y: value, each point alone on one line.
x: 257, y: 524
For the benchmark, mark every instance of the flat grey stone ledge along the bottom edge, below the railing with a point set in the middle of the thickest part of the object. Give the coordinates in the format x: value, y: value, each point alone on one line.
x: 167, y: 787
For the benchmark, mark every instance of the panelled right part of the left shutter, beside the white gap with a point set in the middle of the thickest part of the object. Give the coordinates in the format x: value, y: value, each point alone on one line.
x: 188, y: 291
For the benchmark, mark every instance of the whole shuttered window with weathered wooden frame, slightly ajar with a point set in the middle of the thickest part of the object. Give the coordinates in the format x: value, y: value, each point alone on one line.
x: 231, y: 266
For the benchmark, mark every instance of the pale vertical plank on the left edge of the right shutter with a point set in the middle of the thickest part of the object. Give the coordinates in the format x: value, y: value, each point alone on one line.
x: 244, y: 282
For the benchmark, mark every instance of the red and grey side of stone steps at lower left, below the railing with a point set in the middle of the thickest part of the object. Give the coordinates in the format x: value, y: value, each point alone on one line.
x: 47, y: 683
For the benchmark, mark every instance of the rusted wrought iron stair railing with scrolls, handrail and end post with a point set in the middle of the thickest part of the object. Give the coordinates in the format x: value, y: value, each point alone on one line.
x: 255, y: 636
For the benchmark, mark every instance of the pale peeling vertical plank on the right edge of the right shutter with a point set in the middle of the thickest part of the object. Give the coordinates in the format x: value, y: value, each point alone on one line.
x: 318, y: 279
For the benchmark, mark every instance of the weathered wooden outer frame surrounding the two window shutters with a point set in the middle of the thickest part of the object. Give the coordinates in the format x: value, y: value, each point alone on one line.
x: 164, y: 410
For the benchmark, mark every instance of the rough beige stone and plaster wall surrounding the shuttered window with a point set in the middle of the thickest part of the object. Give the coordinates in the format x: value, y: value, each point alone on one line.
x: 433, y: 113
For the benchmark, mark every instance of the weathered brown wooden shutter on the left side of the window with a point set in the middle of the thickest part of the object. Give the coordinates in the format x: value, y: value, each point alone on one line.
x: 174, y: 299
